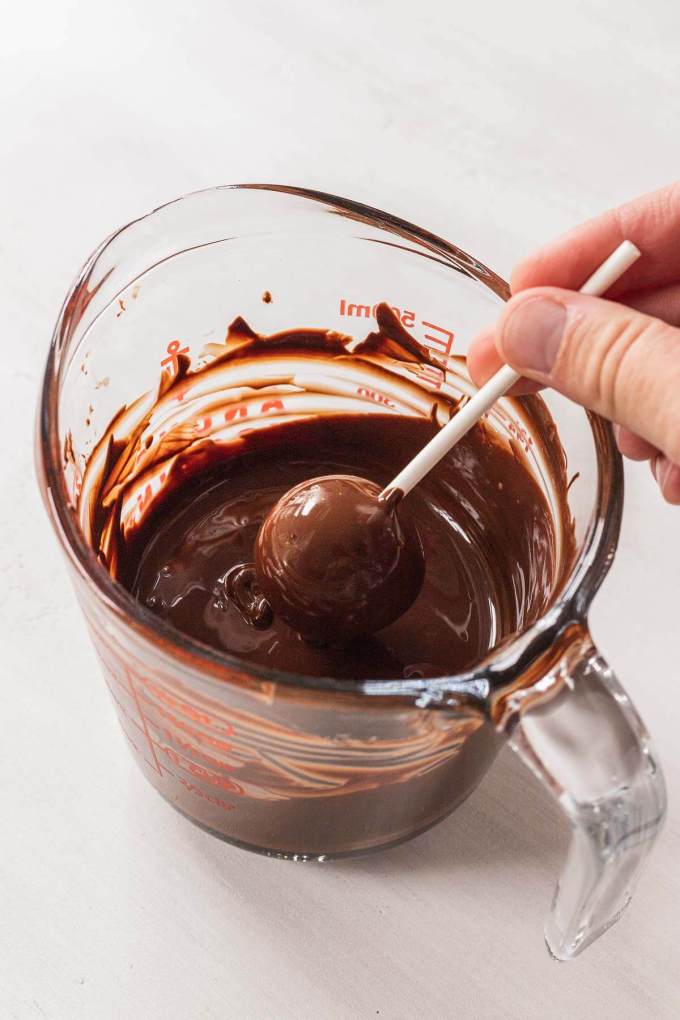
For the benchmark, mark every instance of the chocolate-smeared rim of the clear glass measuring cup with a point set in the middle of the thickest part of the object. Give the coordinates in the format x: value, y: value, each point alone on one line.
x: 492, y: 674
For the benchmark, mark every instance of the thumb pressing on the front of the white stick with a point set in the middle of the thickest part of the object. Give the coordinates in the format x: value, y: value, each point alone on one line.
x: 608, y: 358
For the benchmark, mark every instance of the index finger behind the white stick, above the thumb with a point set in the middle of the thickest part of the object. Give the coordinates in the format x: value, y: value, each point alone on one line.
x: 652, y: 223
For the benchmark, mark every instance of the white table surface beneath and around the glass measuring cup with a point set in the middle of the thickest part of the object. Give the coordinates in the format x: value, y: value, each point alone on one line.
x: 497, y: 126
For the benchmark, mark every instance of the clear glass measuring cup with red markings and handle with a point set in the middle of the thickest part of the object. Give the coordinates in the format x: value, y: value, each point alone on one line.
x: 313, y: 769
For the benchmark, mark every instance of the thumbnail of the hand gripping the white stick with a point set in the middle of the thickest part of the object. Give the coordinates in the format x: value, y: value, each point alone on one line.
x: 533, y: 334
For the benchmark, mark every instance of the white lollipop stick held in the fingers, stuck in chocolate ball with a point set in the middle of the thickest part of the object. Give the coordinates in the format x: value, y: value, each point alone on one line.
x: 505, y: 379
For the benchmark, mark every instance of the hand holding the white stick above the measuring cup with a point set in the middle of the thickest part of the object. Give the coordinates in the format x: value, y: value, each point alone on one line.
x: 619, y: 356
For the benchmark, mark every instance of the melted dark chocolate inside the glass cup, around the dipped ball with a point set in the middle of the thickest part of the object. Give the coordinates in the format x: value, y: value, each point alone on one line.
x: 177, y: 491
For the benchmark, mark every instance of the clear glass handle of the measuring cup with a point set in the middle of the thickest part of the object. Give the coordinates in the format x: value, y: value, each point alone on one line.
x: 580, y: 734
